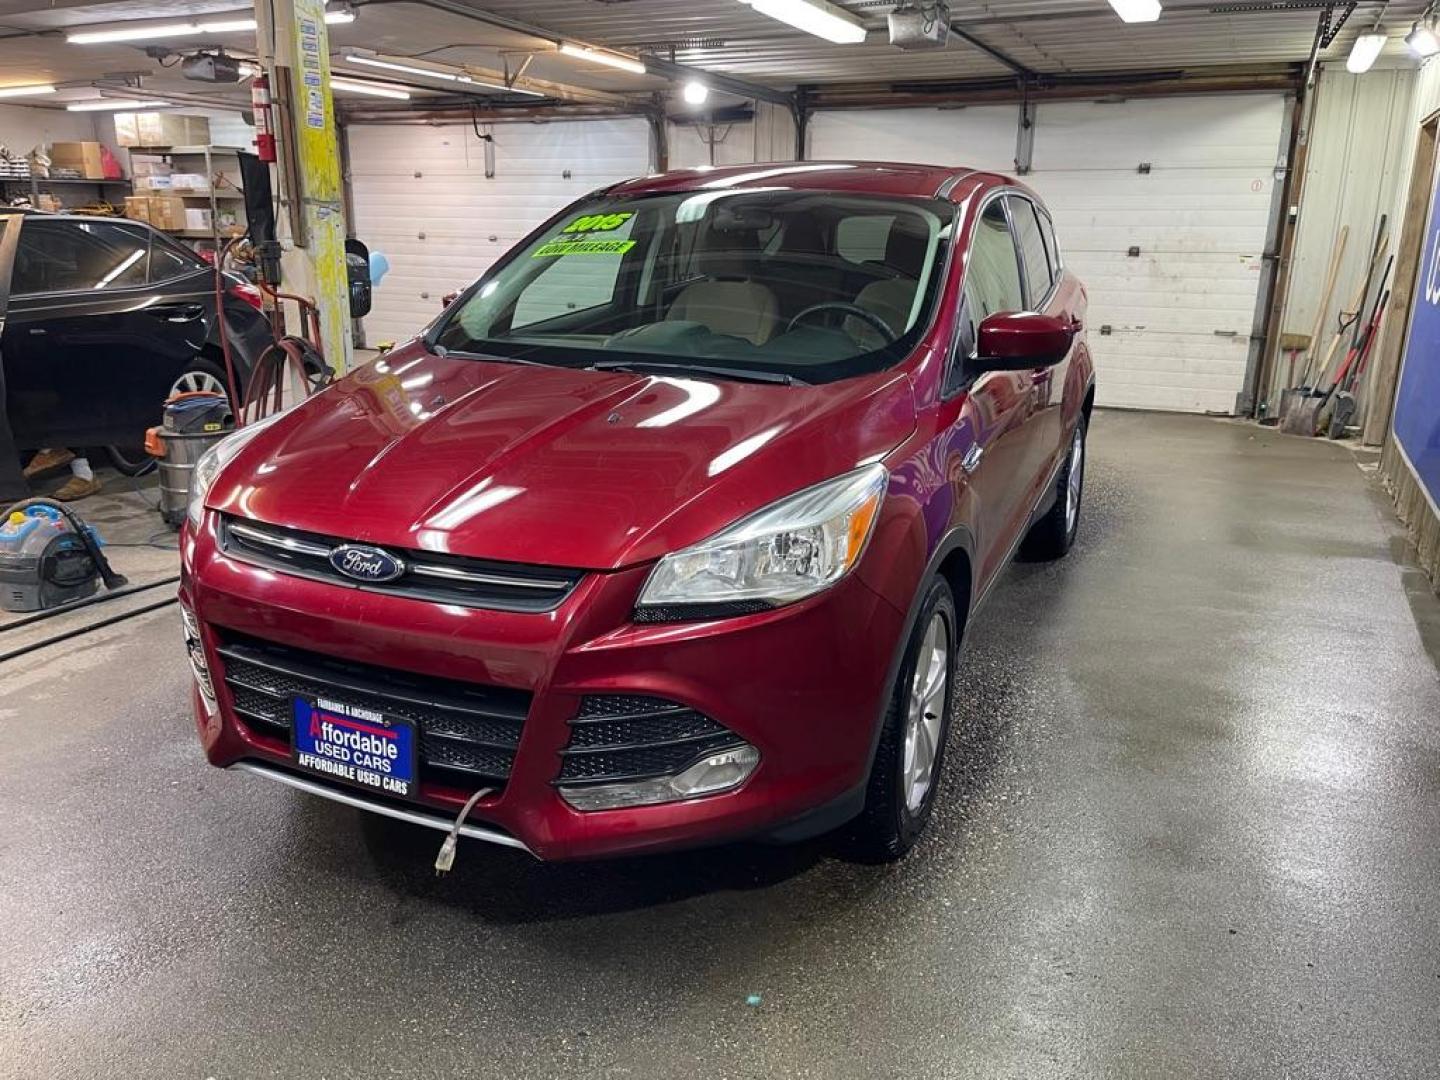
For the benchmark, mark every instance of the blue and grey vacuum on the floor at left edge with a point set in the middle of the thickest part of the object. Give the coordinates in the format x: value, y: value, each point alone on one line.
x: 50, y: 558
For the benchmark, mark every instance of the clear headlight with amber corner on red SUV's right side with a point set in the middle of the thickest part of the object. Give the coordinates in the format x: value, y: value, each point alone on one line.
x: 787, y: 552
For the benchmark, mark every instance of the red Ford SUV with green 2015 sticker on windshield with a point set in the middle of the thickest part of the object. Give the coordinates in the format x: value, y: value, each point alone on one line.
x: 667, y: 531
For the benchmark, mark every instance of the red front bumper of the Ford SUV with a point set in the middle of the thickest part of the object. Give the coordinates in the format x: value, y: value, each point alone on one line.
x: 803, y: 685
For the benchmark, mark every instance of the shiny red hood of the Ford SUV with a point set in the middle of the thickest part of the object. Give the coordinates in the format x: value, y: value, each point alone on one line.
x: 551, y: 466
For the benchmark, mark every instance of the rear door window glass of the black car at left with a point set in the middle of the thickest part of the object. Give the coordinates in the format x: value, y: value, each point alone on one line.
x: 78, y: 257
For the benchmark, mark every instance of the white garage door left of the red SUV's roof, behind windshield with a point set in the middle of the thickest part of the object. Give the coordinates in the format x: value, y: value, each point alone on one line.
x: 423, y: 198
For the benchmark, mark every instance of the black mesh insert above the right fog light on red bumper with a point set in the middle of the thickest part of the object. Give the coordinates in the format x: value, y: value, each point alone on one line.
x: 624, y: 738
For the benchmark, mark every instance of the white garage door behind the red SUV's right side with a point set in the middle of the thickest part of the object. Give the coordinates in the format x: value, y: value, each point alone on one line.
x: 1170, y: 328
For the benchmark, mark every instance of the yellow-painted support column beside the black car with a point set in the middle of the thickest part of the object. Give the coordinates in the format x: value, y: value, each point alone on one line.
x: 296, y: 45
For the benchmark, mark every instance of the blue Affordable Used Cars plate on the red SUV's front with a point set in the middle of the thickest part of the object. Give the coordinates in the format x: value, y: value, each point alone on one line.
x: 354, y: 745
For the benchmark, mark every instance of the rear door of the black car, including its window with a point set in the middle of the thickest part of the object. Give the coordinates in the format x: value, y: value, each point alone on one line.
x: 91, y: 348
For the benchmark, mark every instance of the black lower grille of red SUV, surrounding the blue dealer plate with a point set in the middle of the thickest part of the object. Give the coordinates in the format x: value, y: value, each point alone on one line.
x: 467, y: 732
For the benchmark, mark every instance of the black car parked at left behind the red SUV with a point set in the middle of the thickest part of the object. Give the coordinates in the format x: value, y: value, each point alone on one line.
x: 104, y: 319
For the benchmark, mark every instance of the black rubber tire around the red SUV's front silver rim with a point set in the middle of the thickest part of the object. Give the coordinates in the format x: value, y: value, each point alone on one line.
x: 889, y: 827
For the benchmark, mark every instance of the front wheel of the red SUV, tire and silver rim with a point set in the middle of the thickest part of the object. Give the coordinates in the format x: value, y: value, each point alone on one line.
x: 906, y: 771
